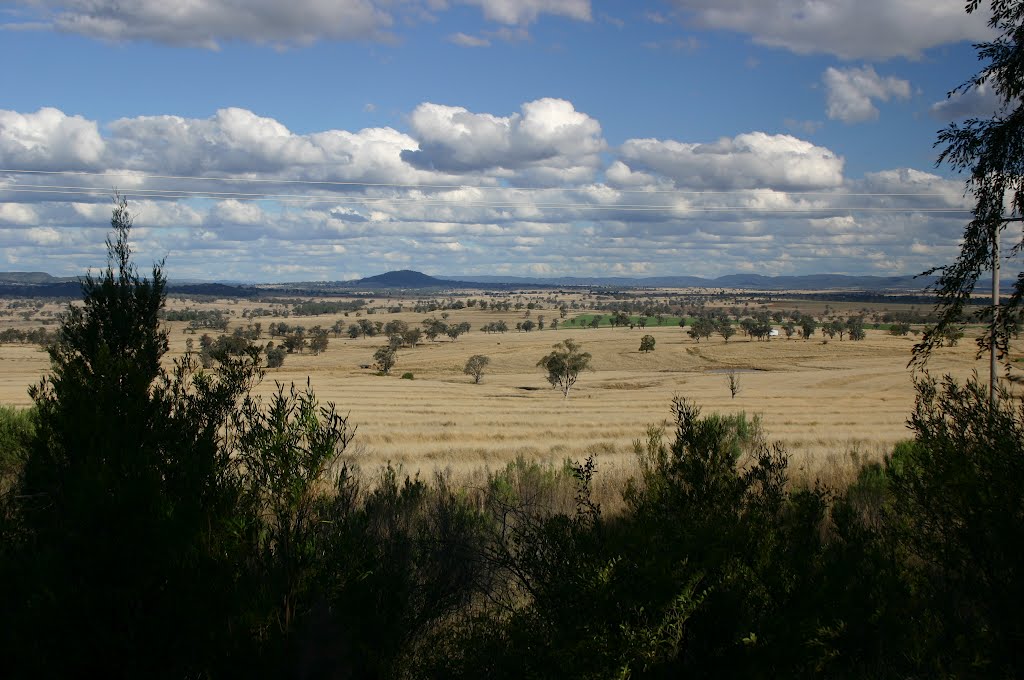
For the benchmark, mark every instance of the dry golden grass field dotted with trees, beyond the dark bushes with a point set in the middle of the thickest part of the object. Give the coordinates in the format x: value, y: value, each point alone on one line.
x: 828, y: 404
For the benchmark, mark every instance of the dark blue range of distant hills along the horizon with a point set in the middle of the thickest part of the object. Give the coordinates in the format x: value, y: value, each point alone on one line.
x: 38, y: 284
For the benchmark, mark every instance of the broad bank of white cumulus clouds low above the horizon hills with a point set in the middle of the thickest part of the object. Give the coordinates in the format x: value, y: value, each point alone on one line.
x: 462, y: 192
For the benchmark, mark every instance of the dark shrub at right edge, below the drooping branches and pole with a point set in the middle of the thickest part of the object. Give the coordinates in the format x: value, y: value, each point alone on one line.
x: 958, y: 512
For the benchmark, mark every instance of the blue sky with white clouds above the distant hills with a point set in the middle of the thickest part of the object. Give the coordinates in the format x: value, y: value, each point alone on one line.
x: 329, y: 140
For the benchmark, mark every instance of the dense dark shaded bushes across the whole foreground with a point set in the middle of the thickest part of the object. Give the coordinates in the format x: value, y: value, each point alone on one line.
x: 167, y: 524
